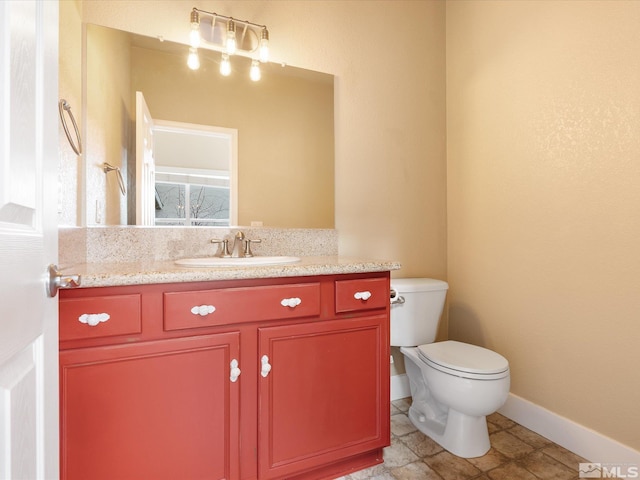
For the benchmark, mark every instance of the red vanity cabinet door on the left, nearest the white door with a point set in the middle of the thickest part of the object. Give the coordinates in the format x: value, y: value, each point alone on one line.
x: 153, y: 410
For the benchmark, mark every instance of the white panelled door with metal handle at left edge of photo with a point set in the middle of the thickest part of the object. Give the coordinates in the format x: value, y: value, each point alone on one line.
x: 28, y: 239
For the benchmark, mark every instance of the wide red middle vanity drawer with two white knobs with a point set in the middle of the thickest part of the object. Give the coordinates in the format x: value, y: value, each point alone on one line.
x: 206, y: 308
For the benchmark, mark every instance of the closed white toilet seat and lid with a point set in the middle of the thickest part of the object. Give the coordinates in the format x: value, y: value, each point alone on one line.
x: 464, y: 360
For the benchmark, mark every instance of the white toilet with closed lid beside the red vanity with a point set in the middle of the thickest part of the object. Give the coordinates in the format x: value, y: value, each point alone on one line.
x: 454, y: 385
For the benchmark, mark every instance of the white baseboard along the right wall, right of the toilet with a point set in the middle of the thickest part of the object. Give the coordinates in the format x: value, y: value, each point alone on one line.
x: 583, y: 441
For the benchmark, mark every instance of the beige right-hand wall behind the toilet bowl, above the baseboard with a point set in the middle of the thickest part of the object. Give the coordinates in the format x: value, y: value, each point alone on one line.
x: 543, y: 137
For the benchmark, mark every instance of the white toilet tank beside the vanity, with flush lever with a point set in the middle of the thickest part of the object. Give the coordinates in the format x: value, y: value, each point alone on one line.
x: 415, y: 321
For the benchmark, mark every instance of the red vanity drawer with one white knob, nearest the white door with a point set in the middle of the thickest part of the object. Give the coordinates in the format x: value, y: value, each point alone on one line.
x: 104, y: 316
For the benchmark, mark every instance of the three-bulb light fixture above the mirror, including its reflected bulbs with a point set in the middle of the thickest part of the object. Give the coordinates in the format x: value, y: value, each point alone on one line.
x: 229, y: 36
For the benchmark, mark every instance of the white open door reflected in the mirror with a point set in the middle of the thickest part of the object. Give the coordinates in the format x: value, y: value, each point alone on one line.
x: 145, y: 164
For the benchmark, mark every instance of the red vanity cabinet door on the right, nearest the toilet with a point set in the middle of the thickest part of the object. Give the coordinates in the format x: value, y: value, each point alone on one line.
x: 323, y: 393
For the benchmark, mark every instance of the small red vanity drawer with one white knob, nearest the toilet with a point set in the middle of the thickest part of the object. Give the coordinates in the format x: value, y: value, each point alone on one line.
x: 362, y: 294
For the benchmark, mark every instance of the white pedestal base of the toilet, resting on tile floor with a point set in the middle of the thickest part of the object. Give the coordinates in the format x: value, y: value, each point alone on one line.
x: 462, y: 435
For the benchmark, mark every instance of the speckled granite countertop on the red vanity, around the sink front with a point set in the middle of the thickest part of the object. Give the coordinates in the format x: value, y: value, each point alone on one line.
x: 118, y: 274
